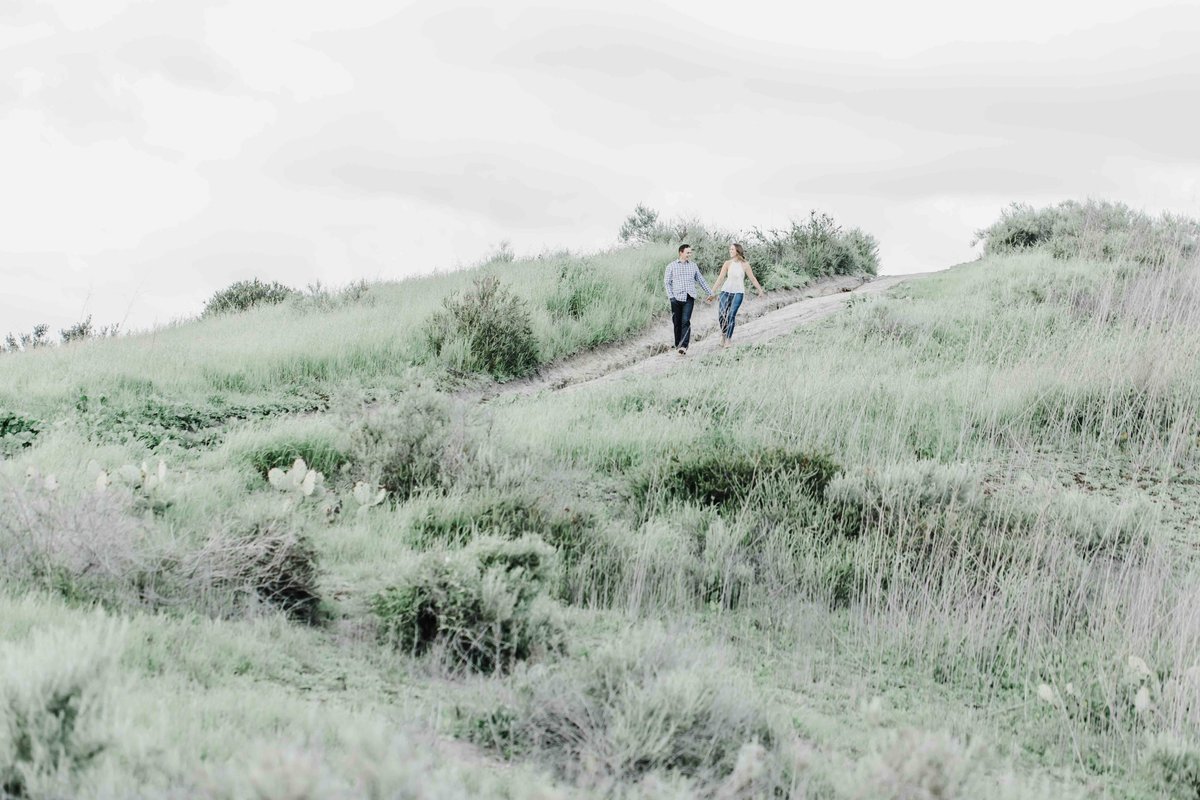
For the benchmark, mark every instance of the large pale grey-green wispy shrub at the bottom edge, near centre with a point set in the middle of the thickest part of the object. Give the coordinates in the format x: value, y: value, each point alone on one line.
x: 639, y: 708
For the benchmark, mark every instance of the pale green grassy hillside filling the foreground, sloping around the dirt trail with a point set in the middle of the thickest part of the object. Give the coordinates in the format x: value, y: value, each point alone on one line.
x: 940, y: 545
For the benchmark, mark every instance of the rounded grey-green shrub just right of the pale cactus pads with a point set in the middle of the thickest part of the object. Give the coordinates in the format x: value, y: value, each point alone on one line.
x: 407, y: 446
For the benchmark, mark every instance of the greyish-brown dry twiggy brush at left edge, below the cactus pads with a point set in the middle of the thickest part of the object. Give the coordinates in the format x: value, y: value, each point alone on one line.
x: 93, y: 550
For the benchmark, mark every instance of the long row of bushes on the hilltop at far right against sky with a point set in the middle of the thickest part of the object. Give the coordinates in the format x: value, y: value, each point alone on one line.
x: 1094, y: 230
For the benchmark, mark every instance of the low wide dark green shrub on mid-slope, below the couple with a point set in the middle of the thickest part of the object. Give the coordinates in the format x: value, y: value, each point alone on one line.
x: 728, y: 477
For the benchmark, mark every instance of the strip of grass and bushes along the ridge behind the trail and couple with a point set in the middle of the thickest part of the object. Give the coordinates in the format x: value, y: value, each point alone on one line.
x: 263, y: 350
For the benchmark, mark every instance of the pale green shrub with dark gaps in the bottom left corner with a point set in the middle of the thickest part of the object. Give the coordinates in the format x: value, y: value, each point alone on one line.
x: 56, y: 708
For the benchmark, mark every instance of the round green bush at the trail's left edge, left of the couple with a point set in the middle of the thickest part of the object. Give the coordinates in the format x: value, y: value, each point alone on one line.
x: 487, y: 329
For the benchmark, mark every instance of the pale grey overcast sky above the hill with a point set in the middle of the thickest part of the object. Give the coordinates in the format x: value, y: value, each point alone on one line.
x: 153, y: 153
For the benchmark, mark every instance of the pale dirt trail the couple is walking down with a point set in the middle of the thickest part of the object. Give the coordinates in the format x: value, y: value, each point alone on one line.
x: 649, y: 353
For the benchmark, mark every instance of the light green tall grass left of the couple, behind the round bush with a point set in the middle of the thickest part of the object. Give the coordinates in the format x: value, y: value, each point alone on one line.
x: 285, y: 348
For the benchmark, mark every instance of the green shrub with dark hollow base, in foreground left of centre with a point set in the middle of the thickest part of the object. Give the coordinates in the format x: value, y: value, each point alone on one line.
x: 484, y: 607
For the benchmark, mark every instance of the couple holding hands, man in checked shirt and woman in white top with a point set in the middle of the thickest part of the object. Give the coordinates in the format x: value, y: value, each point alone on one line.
x: 681, y: 279
